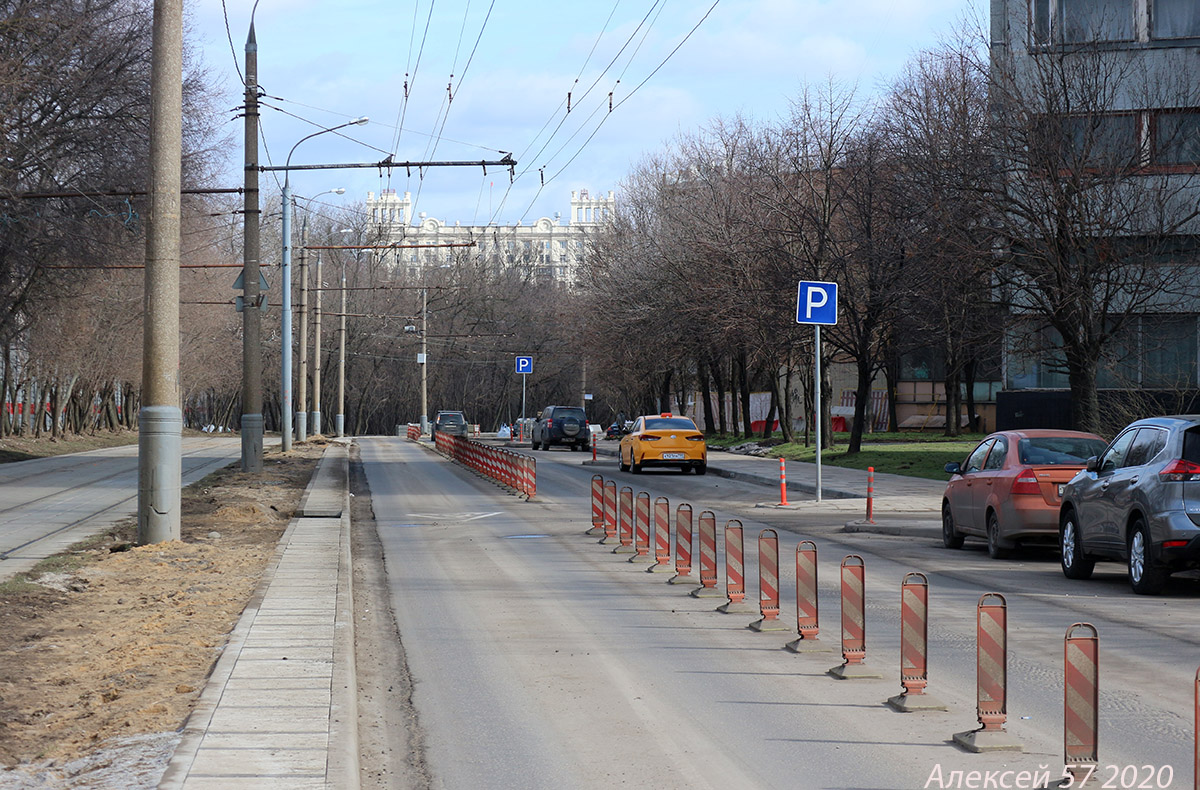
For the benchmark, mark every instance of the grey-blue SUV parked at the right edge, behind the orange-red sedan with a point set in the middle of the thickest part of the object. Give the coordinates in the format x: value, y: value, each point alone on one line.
x: 1139, y: 504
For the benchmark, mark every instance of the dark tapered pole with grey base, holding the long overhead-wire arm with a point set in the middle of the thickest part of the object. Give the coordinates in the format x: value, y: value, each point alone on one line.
x: 251, y: 318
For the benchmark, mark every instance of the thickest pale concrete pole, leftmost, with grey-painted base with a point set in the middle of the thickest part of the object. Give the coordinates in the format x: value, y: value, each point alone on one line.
x: 160, y: 421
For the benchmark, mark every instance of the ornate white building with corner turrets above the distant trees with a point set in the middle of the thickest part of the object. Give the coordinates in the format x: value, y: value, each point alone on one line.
x: 550, y: 248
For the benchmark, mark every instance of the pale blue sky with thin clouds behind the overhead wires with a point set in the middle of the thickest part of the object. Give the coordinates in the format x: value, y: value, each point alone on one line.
x: 671, y: 67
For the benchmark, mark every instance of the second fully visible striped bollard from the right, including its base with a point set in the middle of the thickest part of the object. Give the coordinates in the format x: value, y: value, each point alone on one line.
x: 992, y: 679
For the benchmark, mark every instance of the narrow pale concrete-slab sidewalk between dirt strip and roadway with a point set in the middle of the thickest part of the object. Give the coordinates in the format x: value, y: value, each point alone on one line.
x: 280, y: 709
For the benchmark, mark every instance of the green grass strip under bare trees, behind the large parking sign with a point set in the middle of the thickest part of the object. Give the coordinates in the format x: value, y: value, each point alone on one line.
x: 920, y: 456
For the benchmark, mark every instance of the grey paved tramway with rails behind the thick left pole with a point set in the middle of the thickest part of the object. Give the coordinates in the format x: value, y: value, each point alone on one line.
x: 47, y: 505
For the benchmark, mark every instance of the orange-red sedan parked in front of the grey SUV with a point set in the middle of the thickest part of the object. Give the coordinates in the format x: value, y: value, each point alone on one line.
x: 1010, y: 488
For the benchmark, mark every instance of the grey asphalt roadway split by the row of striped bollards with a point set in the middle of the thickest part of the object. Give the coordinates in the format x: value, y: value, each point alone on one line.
x: 541, y: 660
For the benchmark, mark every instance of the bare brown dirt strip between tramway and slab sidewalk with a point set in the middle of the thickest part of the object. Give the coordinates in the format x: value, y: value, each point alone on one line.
x: 105, y: 650
